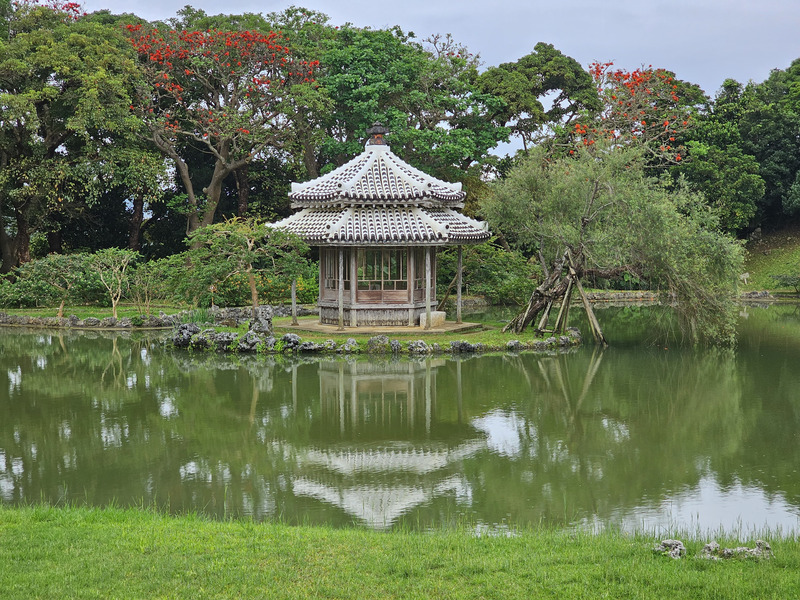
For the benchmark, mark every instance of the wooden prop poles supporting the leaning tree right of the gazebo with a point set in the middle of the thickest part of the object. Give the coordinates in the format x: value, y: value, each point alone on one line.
x: 556, y: 286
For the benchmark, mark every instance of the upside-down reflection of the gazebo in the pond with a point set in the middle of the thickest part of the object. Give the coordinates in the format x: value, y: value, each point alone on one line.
x: 374, y: 480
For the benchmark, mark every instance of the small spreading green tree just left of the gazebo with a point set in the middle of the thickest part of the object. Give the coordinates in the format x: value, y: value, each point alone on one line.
x: 245, y: 247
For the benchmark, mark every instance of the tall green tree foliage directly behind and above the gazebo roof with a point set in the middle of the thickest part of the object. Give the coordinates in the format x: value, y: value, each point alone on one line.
x: 425, y: 93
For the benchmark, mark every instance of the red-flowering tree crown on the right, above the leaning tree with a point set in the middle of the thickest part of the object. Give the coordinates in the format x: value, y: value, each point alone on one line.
x: 646, y: 106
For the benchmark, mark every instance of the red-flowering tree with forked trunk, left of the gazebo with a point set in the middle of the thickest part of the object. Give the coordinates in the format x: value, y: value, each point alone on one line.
x: 227, y: 94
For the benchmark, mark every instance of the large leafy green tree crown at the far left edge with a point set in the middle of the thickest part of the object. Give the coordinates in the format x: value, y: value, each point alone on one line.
x: 64, y: 92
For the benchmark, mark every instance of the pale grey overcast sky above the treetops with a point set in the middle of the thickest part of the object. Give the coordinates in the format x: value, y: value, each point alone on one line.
x: 702, y: 41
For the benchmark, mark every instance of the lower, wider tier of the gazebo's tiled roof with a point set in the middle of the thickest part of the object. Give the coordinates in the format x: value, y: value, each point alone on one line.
x: 382, y: 225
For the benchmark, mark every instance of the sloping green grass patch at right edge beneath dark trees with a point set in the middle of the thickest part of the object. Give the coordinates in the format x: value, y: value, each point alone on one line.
x: 777, y: 254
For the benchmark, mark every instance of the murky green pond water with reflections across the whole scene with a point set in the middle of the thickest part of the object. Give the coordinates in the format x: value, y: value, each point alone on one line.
x: 639, y: 436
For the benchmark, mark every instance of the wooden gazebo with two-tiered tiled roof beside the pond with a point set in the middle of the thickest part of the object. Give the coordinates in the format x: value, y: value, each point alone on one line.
x: 378, y: 222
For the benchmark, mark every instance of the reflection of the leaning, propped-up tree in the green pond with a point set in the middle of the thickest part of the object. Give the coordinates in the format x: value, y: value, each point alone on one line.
x: 594, y: 431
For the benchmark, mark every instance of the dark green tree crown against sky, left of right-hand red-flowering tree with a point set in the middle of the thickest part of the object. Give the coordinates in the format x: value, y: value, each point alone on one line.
x: 524, y: 84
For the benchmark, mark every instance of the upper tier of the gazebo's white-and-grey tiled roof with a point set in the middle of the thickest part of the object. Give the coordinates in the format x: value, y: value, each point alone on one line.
x: 377, y: 176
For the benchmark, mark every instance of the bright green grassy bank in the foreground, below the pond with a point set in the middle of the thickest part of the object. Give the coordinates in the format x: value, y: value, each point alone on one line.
x: 113, y: 553
